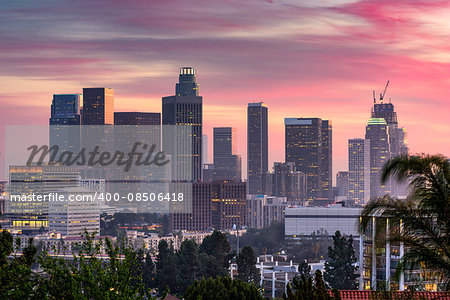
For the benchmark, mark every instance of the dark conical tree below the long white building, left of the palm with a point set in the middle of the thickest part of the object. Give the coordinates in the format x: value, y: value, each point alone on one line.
x: 340, y: 273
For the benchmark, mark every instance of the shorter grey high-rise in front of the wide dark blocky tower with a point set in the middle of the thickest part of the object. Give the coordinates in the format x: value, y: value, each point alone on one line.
x: 285, y: 181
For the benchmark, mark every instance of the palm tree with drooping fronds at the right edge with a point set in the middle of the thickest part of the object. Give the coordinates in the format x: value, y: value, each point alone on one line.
x: 424, y: 215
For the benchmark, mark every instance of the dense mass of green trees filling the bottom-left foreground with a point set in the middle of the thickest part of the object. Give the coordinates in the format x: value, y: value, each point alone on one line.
x: 123, y: 274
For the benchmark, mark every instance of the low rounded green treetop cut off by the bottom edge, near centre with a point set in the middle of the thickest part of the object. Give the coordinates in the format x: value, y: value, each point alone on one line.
x: 223, y: 288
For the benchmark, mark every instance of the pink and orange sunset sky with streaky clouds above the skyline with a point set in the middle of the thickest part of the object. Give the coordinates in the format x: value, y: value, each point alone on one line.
x: 305, y: 58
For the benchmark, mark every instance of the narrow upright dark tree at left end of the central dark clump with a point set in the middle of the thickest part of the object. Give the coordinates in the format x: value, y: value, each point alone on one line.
x: 166, y: 271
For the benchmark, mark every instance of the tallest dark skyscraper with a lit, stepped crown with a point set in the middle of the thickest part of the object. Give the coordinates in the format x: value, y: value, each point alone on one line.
x: 185, y: 108
